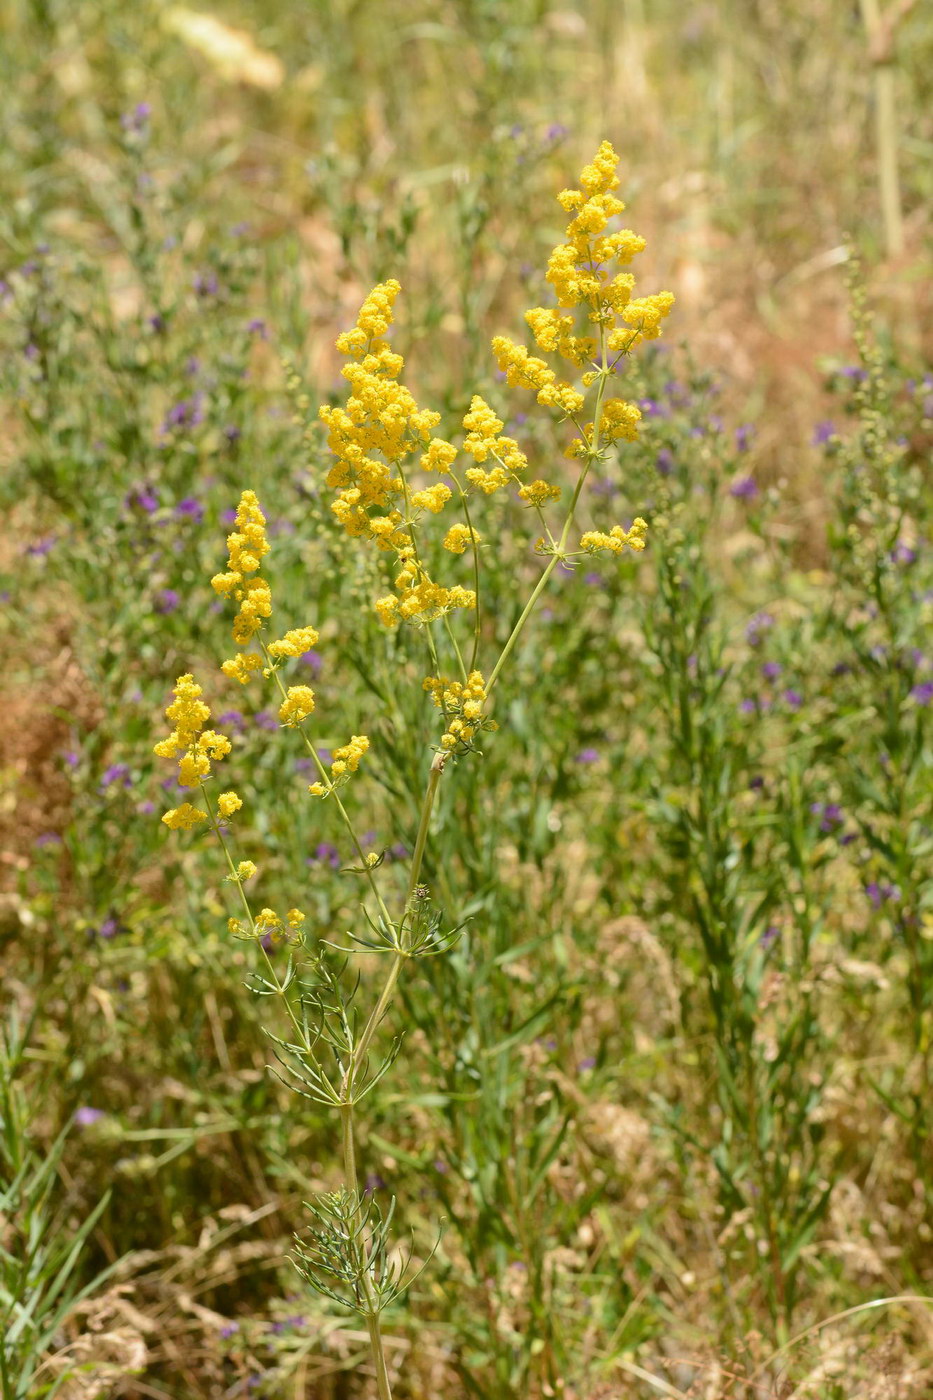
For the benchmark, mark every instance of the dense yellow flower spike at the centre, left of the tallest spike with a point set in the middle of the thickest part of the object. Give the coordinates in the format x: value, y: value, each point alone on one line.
x: 373, y: 439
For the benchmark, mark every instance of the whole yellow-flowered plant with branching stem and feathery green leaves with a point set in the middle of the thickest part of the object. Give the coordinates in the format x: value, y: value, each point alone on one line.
x: 392, y: 479
